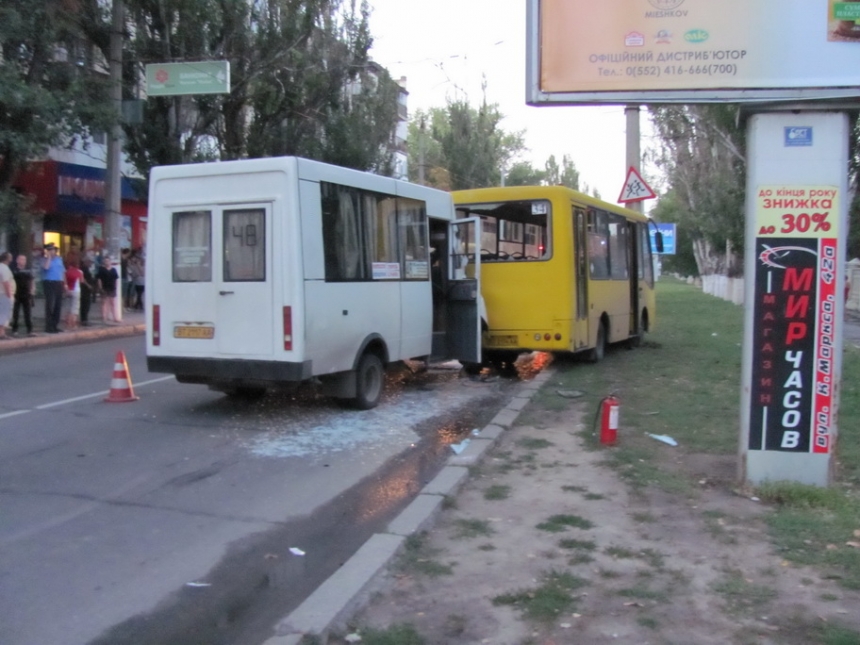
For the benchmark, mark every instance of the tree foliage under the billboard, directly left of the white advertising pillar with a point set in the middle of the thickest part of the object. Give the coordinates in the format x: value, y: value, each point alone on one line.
x: 702, y: 154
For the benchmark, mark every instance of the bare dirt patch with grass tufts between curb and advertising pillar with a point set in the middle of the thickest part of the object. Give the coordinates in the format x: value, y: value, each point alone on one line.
x: 562, y: 551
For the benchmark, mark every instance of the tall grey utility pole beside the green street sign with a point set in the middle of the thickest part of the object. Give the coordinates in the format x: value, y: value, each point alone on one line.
x: 113, y: 177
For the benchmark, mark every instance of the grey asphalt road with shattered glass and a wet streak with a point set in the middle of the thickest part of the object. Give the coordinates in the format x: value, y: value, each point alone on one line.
x: 172, y: 518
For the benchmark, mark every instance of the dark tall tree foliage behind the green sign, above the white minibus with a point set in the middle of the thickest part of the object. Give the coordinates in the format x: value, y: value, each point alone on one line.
x: 301, y: 83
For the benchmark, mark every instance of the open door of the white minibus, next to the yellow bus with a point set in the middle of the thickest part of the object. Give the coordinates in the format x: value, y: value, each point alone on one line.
x: 464, y: 302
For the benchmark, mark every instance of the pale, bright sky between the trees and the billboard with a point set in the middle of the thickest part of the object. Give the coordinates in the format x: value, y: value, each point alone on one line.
x: 446, y: 49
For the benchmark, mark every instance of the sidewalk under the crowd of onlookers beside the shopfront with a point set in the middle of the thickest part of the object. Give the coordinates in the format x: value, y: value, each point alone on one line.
x: 133, y: 322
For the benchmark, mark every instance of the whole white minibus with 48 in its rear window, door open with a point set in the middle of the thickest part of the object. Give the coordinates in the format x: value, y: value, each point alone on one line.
x: 270, y: 272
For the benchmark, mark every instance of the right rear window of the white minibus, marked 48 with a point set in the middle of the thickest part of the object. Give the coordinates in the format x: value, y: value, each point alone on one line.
x: 245, y: 245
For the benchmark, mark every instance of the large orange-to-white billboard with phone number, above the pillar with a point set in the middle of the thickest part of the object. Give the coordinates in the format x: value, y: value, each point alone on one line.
x: 691, y: 51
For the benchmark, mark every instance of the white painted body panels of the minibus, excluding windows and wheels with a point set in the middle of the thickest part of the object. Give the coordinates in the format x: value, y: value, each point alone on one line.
x: 330, y: 320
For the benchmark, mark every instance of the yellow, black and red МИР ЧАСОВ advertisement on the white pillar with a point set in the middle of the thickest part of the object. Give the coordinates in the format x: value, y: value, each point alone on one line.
x: 793, y: 382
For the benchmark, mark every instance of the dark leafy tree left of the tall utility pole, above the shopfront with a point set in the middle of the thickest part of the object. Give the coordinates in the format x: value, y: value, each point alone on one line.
x: 49, y: 94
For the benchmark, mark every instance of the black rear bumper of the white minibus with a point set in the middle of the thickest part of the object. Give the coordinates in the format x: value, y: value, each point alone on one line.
x: 212, y: 370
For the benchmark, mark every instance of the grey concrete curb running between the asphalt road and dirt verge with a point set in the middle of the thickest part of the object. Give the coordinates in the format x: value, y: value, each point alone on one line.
x: 348, y: 590
